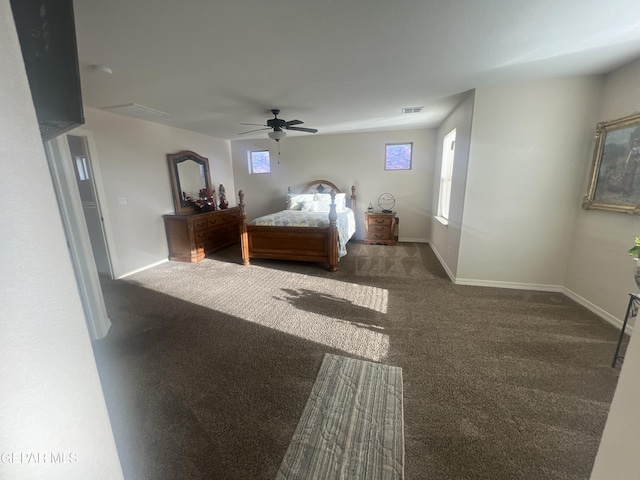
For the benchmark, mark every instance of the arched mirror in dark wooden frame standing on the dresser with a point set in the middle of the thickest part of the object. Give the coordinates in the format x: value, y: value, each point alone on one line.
x: 189, y: 173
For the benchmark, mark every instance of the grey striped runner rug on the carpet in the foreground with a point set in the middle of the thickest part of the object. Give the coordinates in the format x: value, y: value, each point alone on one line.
x: 351, y: 426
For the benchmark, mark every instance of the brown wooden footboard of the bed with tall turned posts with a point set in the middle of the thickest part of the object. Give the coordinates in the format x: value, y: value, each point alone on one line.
x: 309, y: 244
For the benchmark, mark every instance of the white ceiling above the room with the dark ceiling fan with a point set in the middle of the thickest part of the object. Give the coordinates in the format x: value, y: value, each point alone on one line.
x: 338, y: 65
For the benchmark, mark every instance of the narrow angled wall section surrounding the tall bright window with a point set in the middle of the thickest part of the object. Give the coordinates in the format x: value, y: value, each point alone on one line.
x: 445, y: 239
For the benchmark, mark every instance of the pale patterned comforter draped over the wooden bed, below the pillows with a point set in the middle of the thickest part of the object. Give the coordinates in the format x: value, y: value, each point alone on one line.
x: 345, y: 222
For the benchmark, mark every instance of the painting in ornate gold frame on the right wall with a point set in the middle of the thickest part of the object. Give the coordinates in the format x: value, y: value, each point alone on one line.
x: 614, y: 183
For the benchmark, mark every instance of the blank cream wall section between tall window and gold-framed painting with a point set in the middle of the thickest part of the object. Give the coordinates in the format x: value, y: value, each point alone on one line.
x: 530, y: 145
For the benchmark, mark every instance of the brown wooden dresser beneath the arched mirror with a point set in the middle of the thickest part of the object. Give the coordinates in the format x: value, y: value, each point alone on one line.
x: 192, y: 237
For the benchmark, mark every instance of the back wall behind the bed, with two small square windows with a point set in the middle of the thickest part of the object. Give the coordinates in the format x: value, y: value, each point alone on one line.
x: 346, y: 160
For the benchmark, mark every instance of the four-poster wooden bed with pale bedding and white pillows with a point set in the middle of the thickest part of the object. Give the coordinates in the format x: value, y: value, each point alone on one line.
x: 315, y: 227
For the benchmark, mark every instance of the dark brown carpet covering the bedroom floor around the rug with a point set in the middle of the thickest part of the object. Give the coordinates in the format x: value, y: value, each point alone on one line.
x: 208, y: 366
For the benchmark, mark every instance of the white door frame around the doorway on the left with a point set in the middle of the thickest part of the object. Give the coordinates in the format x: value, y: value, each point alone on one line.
x: 72, y: 214
